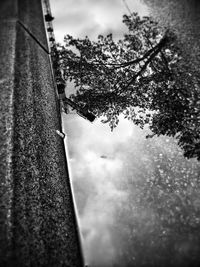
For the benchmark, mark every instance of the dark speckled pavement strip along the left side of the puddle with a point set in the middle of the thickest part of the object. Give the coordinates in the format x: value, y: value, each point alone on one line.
x: 37, y: 219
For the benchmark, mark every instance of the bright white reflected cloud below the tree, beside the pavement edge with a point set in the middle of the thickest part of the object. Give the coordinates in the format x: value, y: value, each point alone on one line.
x: 96, y: 182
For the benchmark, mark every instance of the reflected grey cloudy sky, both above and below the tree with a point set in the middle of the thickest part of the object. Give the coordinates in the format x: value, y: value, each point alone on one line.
x: 121, y: 180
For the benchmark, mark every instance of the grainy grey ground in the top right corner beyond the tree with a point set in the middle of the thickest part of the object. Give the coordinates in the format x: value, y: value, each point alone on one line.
x: 183, y: 17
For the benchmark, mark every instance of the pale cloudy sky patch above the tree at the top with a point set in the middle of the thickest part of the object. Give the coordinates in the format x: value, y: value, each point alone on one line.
x: 91, y: 18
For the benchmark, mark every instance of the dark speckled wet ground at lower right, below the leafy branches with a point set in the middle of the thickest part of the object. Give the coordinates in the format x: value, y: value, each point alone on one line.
x: 160, y: 223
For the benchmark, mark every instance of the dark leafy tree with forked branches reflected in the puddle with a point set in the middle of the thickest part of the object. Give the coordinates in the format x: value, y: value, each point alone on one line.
x: 143, y: 76
